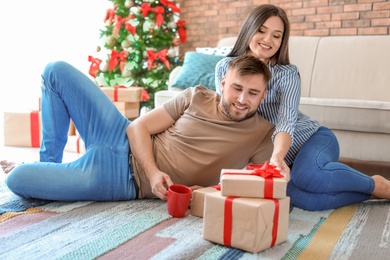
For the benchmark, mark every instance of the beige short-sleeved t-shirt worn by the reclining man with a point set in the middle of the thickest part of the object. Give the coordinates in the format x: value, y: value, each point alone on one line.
x: 203, y: 141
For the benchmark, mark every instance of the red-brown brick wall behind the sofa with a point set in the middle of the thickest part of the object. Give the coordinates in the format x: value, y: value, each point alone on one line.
x: 208, y: 21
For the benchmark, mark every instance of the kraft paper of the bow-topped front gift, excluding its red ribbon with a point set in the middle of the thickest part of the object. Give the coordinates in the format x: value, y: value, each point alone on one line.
x: 245, y: 185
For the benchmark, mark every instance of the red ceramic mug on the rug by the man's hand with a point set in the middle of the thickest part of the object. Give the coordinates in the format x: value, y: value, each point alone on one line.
x: 179, y: 197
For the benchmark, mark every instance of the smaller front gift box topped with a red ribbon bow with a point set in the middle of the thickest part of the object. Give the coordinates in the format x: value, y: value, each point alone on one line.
x: 257, y: 181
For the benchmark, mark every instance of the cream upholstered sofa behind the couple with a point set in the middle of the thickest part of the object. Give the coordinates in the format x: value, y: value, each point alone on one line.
x: 345, y: 86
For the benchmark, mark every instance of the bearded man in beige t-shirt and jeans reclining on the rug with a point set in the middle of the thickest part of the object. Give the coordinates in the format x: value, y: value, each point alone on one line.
x: 188, y: 140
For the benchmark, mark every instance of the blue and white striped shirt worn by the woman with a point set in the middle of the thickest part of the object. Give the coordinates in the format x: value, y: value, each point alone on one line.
x: 281, y: 105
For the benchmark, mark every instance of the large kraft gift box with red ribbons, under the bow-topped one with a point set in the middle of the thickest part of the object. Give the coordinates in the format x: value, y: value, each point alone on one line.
x: 250, y: 224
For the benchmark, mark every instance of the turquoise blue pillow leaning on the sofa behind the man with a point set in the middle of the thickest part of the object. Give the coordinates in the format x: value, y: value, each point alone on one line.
x: 197, y: 69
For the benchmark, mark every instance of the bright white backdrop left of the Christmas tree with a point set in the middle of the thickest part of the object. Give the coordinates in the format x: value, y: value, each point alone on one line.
x: 34, y: 33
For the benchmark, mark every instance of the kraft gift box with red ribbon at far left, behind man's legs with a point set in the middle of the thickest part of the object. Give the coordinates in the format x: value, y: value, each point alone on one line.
x: 22, y: 128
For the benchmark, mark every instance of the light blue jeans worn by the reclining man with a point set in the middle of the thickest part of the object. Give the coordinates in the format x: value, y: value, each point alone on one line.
x: 102, y: 173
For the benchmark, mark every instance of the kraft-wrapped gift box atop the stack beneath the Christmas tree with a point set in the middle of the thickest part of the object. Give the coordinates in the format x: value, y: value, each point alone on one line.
x: 125, y: 94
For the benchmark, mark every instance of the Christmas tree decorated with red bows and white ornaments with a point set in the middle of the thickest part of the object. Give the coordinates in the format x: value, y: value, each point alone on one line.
x: 139, y: 46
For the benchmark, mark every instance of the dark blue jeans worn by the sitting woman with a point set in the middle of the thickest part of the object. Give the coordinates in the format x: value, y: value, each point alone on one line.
x: 320, y: 182
